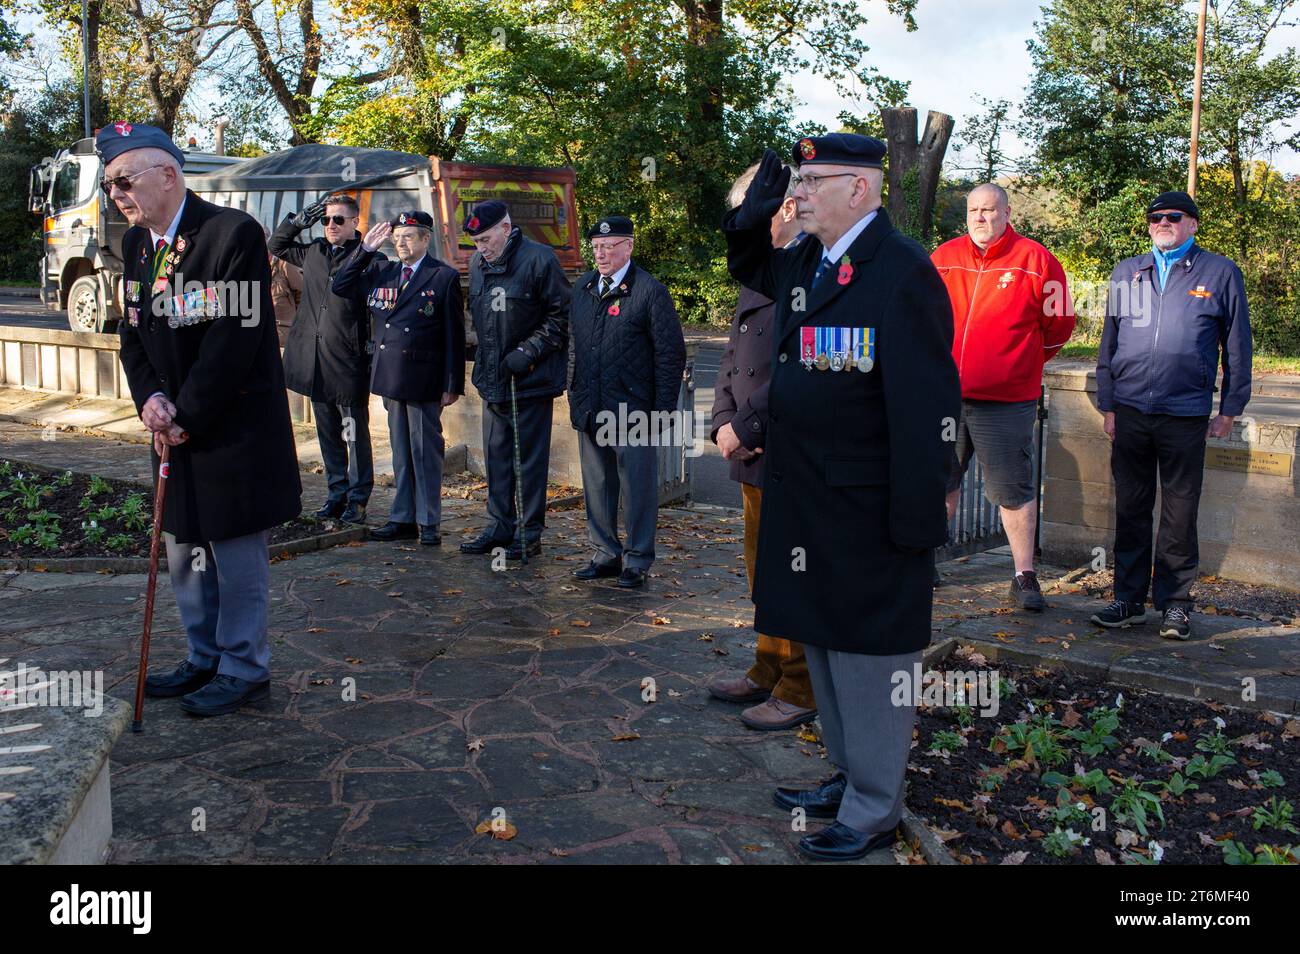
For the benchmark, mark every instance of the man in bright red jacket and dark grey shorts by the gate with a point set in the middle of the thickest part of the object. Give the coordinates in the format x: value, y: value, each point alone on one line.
x: 1012, y: 313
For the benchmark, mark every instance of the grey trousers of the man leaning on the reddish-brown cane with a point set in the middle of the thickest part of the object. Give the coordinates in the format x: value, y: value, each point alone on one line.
x: 223, y: 592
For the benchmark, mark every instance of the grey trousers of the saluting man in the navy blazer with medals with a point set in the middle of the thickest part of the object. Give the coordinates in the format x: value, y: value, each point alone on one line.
x: 415, y: 433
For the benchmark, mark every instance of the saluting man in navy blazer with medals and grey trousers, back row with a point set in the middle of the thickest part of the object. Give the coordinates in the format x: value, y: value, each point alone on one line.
x: 418, y: 315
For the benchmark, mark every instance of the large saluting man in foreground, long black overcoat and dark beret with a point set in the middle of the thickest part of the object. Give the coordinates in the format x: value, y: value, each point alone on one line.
x: 864, y: 388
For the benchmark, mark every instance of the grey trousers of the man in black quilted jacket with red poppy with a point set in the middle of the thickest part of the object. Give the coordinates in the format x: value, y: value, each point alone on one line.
x: 608, y: 472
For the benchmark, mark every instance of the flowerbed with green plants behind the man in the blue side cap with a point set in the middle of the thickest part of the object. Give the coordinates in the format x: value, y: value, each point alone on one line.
x: 60, y: 514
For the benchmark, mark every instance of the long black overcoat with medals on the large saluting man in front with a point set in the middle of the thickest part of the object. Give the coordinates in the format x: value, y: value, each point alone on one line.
x: 856, y: 462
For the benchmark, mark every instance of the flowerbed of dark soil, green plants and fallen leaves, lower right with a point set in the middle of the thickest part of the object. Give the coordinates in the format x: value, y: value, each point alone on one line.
x: 1072, y: 771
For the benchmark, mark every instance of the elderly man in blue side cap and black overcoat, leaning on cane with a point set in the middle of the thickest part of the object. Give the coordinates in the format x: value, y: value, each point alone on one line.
x: 202, y: 359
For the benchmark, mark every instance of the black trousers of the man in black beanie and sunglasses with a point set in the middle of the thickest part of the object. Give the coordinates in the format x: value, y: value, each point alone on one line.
x: 1176, y: 448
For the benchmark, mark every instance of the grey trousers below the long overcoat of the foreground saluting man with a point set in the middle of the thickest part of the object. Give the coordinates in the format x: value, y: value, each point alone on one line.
x: 868, y: 739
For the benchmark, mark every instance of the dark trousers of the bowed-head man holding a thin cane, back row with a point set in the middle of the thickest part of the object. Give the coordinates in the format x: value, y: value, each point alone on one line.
x: 535, y: 456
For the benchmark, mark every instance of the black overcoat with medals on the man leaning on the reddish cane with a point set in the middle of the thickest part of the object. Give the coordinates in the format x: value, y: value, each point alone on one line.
x: 206, y: 339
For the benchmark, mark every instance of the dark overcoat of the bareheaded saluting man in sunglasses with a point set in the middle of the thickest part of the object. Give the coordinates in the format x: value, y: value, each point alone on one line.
x: 326, y: 354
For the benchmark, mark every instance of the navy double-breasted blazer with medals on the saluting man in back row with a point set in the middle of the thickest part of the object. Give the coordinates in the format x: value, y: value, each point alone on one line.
x: 419, y: 328
